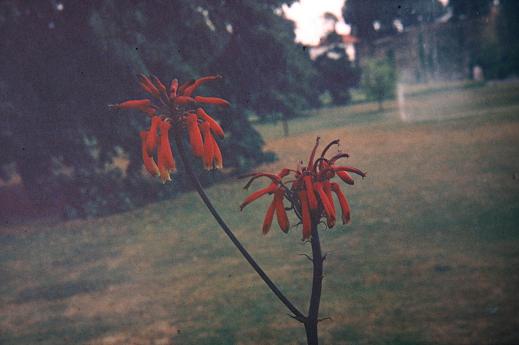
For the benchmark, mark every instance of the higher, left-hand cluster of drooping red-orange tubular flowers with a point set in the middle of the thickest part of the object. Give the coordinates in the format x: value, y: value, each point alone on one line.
x: 176, y: 107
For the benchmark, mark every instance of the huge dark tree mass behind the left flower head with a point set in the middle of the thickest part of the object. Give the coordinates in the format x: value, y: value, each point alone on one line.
x: 60, y: 69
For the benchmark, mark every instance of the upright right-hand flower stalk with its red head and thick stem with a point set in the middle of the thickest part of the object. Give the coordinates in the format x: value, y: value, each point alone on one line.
x: 308, y: 192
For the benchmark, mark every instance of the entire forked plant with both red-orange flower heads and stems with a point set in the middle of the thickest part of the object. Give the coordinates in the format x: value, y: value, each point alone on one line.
x: 307, y: 190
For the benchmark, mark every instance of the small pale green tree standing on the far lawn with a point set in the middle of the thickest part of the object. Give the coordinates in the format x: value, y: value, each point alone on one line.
x: 378, y: 80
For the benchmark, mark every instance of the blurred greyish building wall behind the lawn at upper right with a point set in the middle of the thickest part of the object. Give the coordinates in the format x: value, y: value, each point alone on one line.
x: 434, y: 52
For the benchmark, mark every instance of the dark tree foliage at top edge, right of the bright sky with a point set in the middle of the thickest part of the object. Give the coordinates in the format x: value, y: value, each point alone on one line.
x: 362, y: 14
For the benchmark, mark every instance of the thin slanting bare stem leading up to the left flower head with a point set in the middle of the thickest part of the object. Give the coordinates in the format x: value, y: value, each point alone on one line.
x: 196, y: 183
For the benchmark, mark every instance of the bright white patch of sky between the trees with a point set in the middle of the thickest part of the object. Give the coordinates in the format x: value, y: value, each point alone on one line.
x: 308, y: 16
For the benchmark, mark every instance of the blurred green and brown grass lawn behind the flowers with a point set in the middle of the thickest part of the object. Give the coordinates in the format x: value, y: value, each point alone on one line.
x: 431, y: 255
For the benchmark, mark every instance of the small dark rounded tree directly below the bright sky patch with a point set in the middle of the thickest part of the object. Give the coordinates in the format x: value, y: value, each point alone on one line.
x: 336, y: 72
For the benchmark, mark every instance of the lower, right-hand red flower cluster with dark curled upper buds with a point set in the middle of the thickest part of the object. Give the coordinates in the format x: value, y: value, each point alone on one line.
x: 309, y: 191
